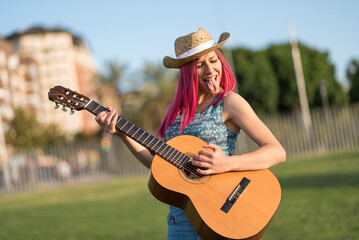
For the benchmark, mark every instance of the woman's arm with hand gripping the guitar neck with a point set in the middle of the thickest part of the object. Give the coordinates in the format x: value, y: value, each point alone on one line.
x: 107, y: 121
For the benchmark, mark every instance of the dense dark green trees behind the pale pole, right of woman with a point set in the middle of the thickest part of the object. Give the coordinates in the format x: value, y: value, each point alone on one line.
x: 267, y: 78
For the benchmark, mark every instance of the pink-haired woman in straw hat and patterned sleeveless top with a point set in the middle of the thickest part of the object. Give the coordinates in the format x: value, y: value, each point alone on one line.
x: 205, y: 106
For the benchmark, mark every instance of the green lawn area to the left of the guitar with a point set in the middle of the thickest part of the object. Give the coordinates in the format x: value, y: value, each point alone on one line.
x: 118, y: 209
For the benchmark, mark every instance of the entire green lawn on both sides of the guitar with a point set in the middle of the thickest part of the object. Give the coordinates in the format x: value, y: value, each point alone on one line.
x: 320, y: 200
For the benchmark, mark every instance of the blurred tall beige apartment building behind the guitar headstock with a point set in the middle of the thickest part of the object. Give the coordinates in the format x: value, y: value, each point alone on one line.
x: 47, y: 57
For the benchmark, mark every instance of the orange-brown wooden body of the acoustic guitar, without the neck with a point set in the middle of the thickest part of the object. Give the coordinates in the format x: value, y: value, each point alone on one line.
x: 203, y: 197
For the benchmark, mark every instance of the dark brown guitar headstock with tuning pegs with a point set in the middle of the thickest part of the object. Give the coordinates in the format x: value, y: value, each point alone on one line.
x: 67, y: 98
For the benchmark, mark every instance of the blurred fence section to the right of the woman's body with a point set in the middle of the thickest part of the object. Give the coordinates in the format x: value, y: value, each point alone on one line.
x: 336, y: 129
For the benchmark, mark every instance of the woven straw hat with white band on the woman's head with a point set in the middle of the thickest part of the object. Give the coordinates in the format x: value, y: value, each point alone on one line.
x: 192, y: 46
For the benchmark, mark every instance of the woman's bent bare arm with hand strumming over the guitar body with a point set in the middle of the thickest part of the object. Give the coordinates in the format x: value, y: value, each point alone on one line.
x: 238, y: 114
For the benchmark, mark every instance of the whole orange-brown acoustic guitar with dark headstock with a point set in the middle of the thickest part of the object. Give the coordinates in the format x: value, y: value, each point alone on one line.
x: 232, y: 205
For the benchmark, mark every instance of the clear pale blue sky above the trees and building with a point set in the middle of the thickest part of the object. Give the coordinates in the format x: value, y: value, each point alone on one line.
x: 134, y: 32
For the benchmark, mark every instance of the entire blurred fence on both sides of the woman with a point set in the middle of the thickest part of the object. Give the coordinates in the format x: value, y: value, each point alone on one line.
x: 332, y: 130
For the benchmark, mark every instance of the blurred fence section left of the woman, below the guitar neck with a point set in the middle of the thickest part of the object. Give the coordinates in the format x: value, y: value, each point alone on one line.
x: 69, y: 164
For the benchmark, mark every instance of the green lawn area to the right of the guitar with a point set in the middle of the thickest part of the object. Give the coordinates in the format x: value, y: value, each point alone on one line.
x: 320, y: 198
